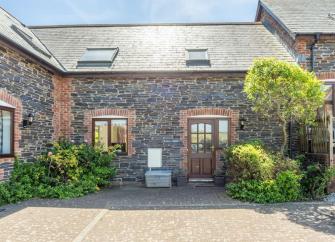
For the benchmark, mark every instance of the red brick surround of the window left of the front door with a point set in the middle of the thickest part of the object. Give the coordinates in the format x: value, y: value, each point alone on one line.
x: 129, y: 114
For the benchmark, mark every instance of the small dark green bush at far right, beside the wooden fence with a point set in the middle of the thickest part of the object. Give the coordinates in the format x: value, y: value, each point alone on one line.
x: 315, y: 180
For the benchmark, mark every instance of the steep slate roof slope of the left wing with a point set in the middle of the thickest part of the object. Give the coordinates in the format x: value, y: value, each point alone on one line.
x: 10, y: 28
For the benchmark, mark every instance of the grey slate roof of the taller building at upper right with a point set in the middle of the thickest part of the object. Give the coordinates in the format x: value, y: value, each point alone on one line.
x: 303, y: 16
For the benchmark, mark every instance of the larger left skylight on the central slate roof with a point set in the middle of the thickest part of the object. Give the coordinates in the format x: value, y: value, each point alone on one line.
x: 98, y: 57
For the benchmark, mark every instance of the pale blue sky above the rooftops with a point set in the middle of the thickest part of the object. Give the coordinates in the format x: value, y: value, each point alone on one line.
x: 42, y: 12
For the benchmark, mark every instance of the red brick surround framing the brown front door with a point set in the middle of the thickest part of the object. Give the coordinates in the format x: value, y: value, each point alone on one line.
x: 186, y: 114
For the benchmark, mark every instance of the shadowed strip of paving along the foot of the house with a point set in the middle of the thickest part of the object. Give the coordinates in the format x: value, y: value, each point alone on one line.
x: 319, y: 216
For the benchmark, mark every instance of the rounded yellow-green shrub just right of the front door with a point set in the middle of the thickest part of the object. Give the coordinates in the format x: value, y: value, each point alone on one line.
x: 249, y: 161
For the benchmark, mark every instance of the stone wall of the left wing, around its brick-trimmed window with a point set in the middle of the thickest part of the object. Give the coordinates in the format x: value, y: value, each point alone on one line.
x: 32, y: 86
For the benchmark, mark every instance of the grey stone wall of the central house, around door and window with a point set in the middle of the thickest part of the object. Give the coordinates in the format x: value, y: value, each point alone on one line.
x: 157, y: 104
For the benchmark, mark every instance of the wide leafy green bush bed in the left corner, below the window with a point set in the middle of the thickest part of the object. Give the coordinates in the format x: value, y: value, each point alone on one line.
x: 66, y: 171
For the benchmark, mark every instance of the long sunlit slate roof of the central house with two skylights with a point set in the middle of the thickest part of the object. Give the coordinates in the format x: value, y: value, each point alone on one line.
x: 231, y: 47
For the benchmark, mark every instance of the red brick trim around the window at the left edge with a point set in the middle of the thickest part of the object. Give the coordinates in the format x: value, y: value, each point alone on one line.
x: 13, y: 101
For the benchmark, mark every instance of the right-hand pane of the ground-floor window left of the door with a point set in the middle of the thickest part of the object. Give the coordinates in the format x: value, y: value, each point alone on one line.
x: 119, y: 133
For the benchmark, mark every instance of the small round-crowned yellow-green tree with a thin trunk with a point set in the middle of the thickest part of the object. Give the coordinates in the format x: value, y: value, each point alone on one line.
x: 283, y: 91
